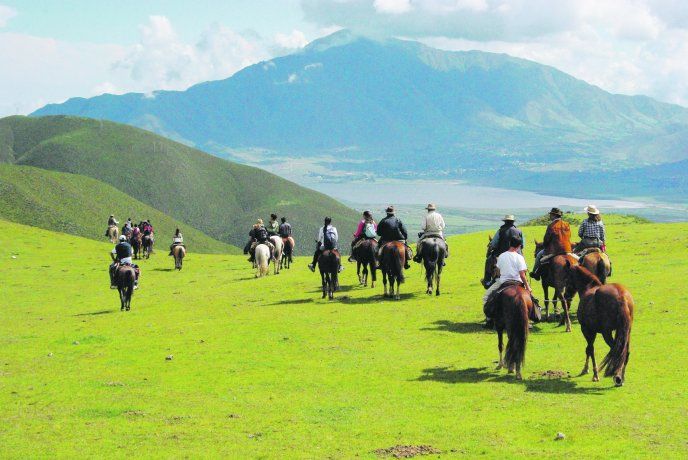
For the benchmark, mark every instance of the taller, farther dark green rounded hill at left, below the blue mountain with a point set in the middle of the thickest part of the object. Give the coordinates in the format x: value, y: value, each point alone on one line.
x: 218, y: 197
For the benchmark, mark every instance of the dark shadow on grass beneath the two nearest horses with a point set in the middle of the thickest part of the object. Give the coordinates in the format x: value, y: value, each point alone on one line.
x: 483, y: 374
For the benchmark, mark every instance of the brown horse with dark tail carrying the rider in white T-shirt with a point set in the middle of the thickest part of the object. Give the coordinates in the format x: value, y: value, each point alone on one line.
x: 513, y: 307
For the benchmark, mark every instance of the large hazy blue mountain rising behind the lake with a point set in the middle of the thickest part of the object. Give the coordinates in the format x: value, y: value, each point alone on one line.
x: 393, y: 108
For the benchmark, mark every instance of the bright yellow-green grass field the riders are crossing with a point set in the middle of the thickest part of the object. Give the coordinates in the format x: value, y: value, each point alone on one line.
x: 265, y: 368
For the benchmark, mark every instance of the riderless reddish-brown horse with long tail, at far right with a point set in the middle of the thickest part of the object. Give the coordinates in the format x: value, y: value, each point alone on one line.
x: 604, y: 309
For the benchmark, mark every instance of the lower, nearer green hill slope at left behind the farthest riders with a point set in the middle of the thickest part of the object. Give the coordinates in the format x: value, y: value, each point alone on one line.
x: 80, y: 205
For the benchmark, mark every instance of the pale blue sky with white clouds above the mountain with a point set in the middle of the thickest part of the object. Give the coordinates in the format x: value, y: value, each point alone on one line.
x: 53, y: 50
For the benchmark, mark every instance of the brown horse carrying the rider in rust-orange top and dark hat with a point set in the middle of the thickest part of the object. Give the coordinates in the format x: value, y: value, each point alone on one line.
x: 556, y: 276
